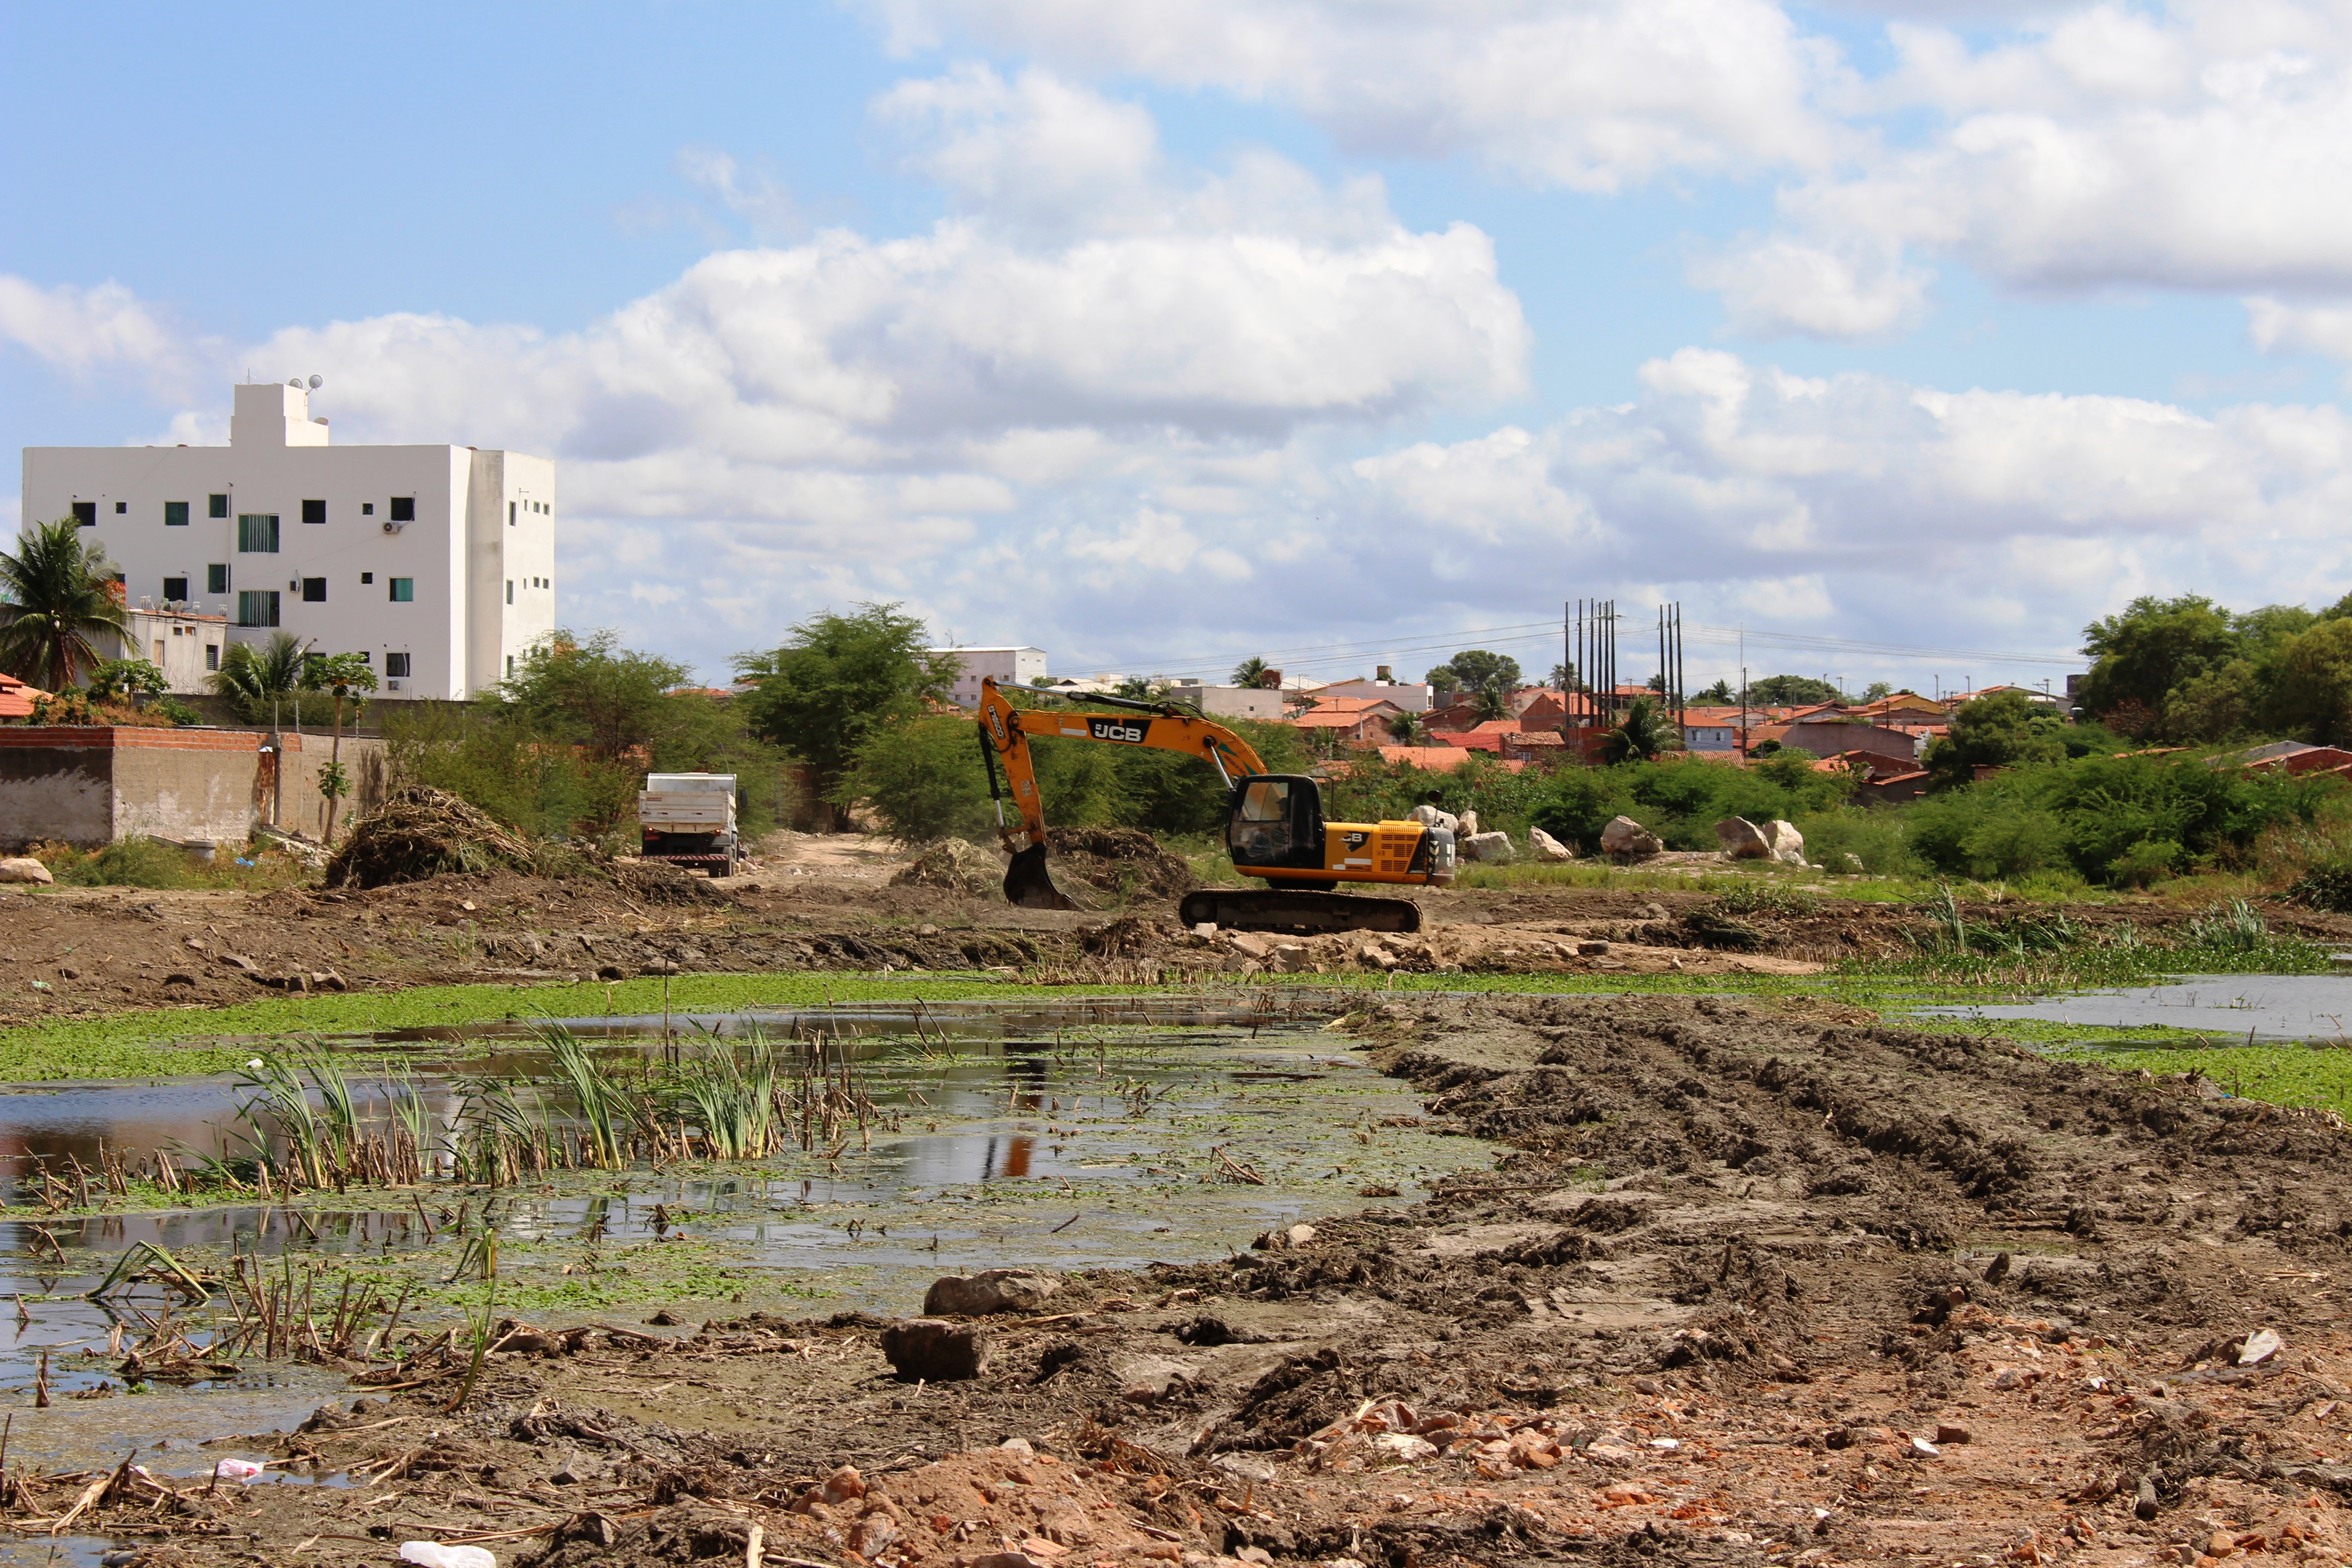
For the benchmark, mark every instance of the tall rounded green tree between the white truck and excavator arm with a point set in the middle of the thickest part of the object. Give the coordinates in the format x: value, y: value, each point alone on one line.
x: 836, y: 683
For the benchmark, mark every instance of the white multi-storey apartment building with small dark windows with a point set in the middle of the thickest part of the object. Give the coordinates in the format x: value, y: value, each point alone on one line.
x: 436, y: 563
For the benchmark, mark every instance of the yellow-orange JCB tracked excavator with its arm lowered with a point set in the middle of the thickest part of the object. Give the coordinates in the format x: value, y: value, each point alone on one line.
x: 1274, y: 824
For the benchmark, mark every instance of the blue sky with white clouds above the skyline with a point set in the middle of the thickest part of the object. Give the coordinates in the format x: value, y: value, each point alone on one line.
x: 1177, y: 333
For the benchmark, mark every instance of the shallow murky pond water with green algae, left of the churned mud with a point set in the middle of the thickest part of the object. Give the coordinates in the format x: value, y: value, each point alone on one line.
x: 1020, y: 1141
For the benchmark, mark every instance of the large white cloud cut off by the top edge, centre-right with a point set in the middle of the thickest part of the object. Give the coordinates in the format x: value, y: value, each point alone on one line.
x: 1591, y: 95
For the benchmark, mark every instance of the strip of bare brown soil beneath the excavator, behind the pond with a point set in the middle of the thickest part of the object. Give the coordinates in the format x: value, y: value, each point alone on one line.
x: 829, y: 902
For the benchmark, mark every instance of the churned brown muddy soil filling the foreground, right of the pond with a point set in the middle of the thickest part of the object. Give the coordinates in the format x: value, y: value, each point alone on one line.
x: 1756, y: 1287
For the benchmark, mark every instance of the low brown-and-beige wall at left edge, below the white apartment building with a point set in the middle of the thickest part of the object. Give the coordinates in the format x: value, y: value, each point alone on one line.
x: 100, y: 784
